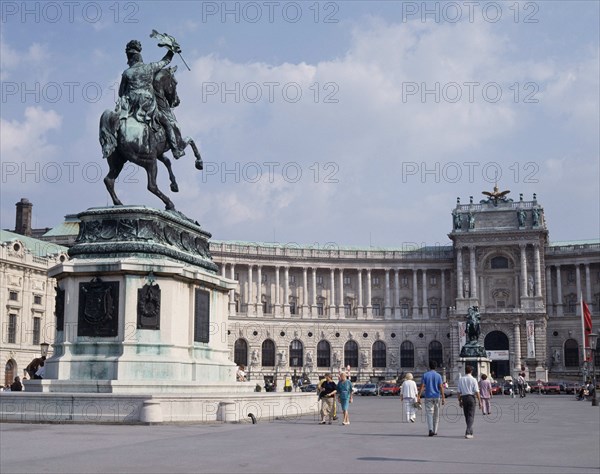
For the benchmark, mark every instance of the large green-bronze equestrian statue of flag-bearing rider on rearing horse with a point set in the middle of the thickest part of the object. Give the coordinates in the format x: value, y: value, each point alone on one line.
x: 143, y: 127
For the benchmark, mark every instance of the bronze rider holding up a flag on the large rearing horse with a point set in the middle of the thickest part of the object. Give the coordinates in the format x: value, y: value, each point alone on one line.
x: 137, y: 97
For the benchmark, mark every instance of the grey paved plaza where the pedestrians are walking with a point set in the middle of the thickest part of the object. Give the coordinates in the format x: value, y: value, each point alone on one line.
x: 538, y: 434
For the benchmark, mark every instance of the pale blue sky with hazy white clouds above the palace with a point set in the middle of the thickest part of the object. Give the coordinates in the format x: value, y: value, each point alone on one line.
x: 351, y: 123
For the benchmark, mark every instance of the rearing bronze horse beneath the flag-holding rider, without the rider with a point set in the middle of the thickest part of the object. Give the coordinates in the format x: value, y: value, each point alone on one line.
x: 127, y: 139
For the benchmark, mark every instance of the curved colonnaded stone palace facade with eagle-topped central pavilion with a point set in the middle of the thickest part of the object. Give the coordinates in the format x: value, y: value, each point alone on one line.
x: 387, y: 311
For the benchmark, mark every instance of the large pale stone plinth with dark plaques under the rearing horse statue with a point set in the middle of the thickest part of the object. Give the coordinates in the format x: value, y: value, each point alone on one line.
x: 140, y: 308
